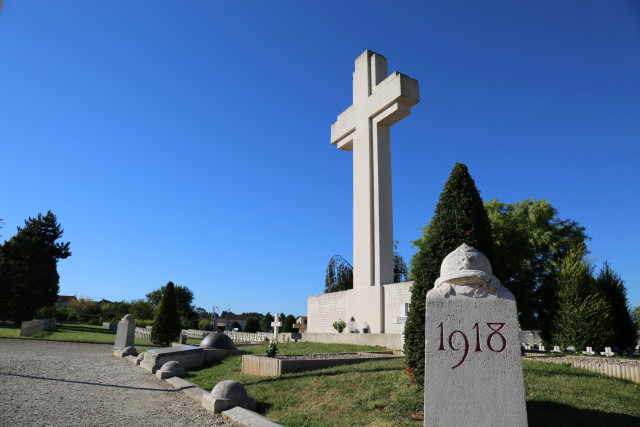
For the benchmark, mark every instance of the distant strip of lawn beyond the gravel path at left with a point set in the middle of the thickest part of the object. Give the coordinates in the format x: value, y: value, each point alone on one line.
x: 68, y: 332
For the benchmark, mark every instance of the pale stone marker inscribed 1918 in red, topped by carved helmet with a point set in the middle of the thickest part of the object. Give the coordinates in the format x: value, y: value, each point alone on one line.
x: 473, y: 367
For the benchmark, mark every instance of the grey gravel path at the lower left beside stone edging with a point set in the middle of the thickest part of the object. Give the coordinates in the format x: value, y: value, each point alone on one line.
x: 47, y: 383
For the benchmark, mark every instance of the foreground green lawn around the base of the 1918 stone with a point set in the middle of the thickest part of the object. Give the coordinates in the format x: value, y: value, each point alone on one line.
x: 377, y: 393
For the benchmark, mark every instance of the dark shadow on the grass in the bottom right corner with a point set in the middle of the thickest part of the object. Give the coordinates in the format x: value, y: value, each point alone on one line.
x: 541, y: 413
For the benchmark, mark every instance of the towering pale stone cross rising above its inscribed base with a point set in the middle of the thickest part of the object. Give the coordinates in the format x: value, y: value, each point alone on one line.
x: 379, y: 101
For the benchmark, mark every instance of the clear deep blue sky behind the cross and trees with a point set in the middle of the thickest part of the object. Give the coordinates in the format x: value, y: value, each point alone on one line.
x: 189, y: 141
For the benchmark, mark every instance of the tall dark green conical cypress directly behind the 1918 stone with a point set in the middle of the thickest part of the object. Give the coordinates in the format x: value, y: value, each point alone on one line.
x: 460, y: 217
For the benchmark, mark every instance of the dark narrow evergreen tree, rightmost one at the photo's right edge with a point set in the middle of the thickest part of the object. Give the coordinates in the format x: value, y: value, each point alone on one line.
x: 611, y: 286
